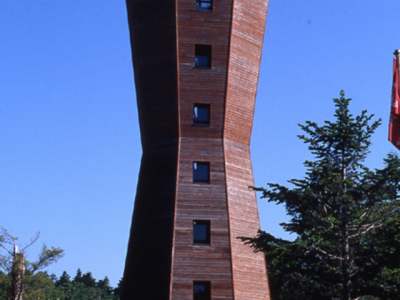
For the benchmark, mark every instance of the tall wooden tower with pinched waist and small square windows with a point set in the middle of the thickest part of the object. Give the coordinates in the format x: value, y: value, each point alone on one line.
x: 196, y: 66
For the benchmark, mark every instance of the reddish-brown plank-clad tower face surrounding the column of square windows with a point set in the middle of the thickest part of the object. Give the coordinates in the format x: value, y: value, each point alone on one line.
x: 202, y: 201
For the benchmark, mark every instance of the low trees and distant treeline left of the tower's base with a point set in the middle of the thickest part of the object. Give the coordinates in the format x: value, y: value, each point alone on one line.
x: 21, y: 279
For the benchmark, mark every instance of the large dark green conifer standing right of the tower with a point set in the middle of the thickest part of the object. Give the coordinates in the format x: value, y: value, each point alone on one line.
x: 345, y: 217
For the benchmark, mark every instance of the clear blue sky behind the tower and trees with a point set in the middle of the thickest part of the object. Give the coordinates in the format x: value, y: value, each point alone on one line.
x: 70, y: 146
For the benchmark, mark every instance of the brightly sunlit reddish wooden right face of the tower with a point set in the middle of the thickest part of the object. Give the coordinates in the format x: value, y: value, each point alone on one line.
x: 248, y: 25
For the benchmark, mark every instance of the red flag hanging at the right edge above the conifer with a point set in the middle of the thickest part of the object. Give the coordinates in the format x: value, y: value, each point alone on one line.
x: 394, y: 126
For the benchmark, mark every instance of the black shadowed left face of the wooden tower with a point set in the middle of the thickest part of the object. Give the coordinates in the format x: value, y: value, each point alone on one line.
x: 153, y: 41
